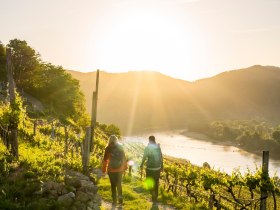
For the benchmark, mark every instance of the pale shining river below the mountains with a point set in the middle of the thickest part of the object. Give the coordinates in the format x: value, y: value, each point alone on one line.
x: 222, y: 157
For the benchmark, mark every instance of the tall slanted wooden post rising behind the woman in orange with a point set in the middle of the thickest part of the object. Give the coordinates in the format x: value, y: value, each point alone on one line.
x: 94, y: 111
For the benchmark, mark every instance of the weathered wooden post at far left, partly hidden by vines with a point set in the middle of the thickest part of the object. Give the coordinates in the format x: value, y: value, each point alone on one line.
x: 13, y: 140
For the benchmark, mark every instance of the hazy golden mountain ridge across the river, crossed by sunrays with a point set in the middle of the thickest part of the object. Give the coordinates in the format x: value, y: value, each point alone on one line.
x: 142, y: 101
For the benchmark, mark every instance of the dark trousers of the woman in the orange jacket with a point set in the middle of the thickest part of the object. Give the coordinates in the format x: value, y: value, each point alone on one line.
x: 116, y: 184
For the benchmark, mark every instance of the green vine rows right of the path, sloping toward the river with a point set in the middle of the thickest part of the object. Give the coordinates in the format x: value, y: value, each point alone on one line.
x: 215, y: 190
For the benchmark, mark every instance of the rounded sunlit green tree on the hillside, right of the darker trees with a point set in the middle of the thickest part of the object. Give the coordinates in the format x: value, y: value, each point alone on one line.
x: 59, y: 91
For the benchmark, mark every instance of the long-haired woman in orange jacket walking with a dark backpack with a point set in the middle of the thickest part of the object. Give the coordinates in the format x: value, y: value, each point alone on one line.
x: 114, y: 162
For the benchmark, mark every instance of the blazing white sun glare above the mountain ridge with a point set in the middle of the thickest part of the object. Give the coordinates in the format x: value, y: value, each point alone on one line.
x: 144, y: 39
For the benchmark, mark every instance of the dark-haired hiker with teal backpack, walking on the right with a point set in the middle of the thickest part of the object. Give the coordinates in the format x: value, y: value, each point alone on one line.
x: 154, y: 166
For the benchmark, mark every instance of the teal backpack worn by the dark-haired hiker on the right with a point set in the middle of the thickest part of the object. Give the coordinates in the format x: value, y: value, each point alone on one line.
x: 154, y: 157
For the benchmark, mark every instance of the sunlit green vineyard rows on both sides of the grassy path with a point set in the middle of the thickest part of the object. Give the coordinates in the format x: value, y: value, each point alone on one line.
x: 47, y: 149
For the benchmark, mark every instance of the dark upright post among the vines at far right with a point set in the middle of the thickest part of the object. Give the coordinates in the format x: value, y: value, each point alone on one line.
x: 265, y: 176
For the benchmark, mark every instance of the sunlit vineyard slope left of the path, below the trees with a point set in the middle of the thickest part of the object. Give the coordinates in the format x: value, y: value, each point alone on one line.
x: 47, y: 153
